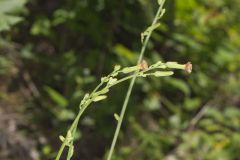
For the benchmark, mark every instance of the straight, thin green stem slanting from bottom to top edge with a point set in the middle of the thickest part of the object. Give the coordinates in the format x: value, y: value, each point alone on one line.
x: 131, y: 86
